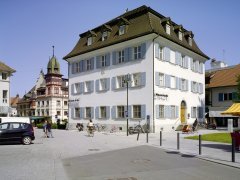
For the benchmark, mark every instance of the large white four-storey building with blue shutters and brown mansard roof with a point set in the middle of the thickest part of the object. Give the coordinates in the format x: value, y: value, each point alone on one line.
x: 165, y: 66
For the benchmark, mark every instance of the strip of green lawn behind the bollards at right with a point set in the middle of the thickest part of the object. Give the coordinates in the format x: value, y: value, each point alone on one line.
x: 215, y: 137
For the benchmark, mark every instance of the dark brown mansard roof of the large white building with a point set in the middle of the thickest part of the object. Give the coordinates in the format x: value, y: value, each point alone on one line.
x: 142, y: 21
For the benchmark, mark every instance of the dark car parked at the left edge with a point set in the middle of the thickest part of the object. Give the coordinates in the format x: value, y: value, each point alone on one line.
x: 16, y: 131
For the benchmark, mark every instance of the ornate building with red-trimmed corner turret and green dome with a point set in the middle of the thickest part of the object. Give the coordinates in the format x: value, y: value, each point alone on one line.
x: 49, y: 97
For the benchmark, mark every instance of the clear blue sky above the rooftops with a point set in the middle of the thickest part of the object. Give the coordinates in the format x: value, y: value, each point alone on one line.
x: 29, y: 28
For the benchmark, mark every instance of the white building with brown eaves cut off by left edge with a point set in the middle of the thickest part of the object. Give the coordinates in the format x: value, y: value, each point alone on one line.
x: 5, y: 73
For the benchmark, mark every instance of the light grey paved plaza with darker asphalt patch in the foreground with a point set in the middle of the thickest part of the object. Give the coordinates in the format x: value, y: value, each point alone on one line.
x: 114, y: 156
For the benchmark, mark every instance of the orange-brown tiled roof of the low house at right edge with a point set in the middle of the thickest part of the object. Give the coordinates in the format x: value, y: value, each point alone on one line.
x: 224, y: 77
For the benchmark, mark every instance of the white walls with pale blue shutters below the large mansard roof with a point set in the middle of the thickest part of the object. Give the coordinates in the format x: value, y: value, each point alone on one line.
x: 85, y: 95
